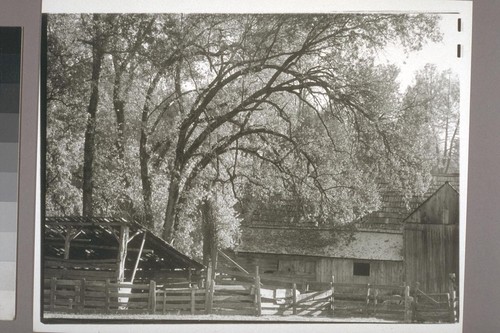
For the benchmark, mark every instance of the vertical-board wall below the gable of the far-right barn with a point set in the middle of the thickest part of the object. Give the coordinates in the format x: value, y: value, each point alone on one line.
x: 431, y: 252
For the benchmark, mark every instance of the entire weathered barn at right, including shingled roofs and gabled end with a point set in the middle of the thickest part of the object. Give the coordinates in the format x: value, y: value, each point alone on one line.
x: 415, y: 241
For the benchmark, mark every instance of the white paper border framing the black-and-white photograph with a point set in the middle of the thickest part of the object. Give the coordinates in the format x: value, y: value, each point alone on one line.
x: 463, y: 8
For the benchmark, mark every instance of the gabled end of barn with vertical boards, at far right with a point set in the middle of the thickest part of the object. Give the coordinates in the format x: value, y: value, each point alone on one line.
x: 431, y: 241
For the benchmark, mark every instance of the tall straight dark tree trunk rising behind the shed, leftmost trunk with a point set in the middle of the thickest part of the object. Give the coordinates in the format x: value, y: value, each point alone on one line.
x: 89, y: 145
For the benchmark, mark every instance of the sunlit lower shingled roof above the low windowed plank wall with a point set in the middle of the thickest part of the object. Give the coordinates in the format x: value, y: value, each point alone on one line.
x: 323, y: 243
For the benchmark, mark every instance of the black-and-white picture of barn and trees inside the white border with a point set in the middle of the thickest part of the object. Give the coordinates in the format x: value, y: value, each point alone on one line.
x: 207, y: 167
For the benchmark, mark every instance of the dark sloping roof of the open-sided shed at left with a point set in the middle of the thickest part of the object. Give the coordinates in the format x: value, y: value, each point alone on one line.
x: 97, y: 232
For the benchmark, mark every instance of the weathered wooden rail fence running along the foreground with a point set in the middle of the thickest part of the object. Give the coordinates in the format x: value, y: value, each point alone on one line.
x: 241, y: 293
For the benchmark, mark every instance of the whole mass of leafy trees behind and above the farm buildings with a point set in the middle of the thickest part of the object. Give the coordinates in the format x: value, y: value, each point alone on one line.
x: 240, y: 108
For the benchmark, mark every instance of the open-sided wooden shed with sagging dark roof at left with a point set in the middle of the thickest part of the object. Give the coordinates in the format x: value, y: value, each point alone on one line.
x: 101, y: 248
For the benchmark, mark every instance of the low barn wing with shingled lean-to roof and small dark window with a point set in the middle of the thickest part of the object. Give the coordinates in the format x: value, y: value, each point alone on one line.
x: 315, y: 254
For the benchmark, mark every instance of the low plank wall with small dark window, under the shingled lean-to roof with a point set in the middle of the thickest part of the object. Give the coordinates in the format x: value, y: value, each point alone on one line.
x: 322, y: 269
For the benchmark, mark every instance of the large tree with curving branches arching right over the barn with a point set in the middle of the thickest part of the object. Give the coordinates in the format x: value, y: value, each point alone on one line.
x: 266, y: 61
